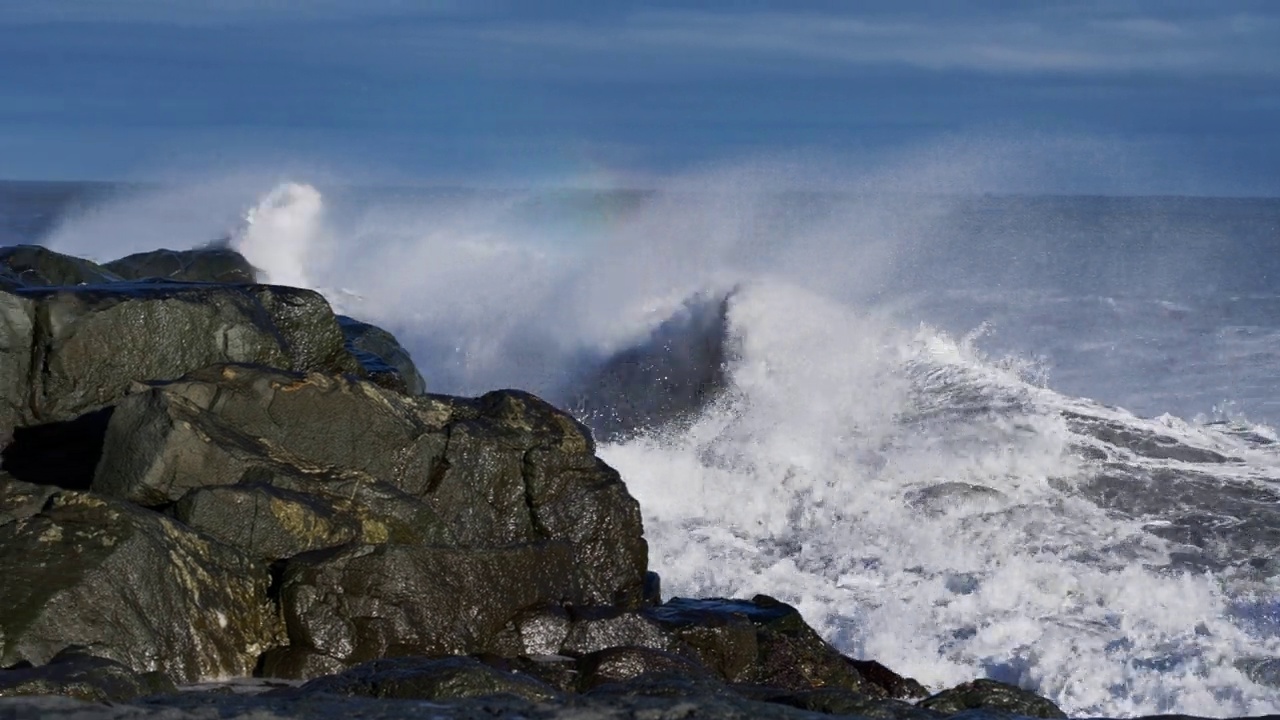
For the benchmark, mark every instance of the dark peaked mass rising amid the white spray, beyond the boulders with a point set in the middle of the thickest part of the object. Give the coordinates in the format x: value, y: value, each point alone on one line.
x: 668, y: 379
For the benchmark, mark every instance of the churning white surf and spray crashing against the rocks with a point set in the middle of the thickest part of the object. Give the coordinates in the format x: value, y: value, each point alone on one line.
x: 806, y: 481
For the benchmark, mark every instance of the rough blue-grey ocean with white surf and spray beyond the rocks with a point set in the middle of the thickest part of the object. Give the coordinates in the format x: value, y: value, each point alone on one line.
x: 1021, y: 438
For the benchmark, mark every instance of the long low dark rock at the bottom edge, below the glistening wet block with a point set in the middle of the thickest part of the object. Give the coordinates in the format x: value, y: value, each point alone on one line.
x: 426, y: 678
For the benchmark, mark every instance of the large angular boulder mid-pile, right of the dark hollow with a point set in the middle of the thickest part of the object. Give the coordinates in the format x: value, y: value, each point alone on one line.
x: 499, y: 471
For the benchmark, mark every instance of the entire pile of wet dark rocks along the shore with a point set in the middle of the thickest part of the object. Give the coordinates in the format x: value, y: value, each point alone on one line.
x: 222, y: 500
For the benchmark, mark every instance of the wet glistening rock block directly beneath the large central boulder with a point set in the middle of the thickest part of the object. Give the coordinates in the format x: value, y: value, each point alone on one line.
x: 365, y: 603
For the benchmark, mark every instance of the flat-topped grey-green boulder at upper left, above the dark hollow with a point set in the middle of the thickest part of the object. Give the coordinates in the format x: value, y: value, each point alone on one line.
x: 88, y: 345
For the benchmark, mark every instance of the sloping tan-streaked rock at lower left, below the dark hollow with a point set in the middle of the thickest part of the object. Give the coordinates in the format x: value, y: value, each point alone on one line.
x: 132, y: 586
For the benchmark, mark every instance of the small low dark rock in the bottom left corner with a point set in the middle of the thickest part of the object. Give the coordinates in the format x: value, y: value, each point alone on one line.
x: 76, y: 673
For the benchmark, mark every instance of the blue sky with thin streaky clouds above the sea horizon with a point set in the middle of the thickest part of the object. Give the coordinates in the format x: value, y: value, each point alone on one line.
x: 1168, y: 95
